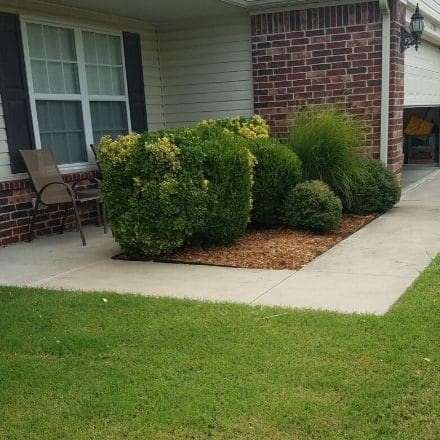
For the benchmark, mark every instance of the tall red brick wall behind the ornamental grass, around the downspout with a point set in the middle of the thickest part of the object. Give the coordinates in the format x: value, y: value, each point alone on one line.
x: 326, y: 55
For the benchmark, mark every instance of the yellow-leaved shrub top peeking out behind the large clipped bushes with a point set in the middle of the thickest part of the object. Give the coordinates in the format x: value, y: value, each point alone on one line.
x: 249, y: 128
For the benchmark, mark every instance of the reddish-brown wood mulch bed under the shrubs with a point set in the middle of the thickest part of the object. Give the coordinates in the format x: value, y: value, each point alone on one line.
x: 279, y: 248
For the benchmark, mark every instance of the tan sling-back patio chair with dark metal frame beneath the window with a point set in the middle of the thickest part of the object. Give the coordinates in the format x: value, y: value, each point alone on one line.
x: 52, y: 190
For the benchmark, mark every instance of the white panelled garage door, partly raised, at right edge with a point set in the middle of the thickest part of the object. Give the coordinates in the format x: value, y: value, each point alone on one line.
x: 422, y: 76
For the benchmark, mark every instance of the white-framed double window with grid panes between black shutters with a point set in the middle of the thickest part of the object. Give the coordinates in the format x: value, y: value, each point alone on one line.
x: 77, y: 88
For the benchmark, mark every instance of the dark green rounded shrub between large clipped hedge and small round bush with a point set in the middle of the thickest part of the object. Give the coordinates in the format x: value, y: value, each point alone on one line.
x: 277, y: 170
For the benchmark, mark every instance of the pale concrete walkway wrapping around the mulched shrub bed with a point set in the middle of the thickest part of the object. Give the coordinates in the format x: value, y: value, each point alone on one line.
x: 365, y: 273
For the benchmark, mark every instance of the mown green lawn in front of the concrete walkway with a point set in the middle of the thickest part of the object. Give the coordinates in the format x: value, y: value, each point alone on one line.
x: 77, y: 366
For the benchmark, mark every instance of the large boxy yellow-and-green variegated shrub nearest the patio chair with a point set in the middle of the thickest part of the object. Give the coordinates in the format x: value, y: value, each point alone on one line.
x: 154, y: 189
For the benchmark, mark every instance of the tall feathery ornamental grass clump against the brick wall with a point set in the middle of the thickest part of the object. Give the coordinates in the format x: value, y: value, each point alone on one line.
x: 329, y: 143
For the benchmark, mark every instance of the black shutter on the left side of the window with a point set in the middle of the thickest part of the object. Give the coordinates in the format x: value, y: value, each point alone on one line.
x: 14, y: 91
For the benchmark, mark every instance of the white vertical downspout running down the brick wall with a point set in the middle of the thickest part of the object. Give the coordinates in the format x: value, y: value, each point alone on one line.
x: 385, y: 98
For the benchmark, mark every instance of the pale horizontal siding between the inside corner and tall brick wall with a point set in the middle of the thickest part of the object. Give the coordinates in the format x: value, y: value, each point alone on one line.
x: 206, y: 70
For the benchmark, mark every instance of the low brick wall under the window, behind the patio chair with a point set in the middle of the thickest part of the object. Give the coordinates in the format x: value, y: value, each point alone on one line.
x: 16, y: 210
